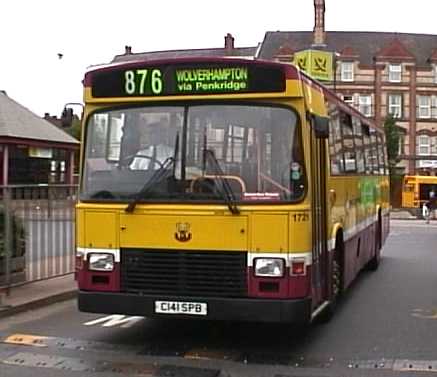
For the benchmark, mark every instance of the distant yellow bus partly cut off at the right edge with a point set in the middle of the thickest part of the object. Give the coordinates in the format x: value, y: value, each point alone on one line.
x: 416, y: 191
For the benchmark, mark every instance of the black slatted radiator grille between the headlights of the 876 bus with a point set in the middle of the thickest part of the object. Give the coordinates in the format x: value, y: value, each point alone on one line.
x: 188, y: 273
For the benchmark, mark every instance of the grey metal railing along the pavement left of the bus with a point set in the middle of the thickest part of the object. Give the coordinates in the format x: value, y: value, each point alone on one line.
x: 36, y: 232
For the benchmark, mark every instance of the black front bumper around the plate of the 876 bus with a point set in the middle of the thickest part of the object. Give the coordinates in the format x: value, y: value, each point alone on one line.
x: 232, y: 309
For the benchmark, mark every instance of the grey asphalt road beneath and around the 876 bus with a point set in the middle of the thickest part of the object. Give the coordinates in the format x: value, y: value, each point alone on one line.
x: 384, y: 326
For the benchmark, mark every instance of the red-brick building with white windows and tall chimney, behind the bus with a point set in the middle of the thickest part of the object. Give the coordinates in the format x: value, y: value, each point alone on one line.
x: 381, y: 74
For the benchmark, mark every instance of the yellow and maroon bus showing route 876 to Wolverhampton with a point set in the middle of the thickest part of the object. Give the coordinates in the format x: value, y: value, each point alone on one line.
x: 224, y: 189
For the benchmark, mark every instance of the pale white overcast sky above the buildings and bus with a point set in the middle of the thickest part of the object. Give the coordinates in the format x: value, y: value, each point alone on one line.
x: 89, y: 32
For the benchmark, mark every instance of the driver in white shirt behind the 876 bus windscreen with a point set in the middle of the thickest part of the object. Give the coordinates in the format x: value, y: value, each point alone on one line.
x: 157, y: 151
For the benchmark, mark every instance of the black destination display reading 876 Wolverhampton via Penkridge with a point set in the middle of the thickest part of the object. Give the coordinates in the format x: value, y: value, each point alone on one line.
x: 187, y: 79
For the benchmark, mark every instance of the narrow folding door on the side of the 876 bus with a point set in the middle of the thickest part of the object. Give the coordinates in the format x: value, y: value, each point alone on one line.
x: 319, y: 218
